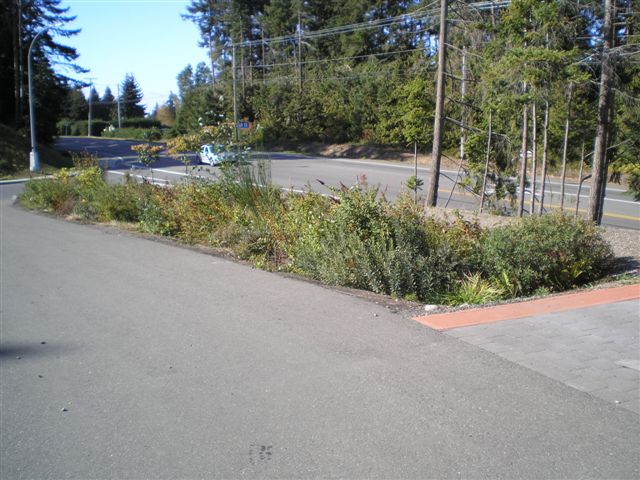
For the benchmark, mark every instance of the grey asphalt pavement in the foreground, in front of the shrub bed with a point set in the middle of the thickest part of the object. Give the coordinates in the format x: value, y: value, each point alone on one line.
x: 122, y: 357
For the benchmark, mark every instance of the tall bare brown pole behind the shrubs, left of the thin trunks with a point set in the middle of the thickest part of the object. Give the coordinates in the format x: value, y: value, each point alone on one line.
x: 438, y: 124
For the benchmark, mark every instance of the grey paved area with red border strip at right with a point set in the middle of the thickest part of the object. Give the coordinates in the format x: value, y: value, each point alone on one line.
x: 589, y: 341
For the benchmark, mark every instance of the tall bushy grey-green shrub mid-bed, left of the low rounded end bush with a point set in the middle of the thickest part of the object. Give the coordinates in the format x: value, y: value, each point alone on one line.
x: 367, y: 243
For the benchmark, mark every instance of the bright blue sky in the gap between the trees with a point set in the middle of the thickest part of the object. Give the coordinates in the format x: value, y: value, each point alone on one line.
x: 147, y: 38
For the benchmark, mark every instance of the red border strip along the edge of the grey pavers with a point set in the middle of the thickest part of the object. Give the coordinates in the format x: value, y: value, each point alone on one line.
x: 572, y: 301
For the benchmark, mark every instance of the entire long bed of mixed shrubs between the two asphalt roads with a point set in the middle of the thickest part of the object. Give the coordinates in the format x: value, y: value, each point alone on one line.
x: 355, y: 239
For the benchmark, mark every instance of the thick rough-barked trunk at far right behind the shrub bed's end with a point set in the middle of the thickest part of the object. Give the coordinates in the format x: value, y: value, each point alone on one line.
x: 598, y: 172
